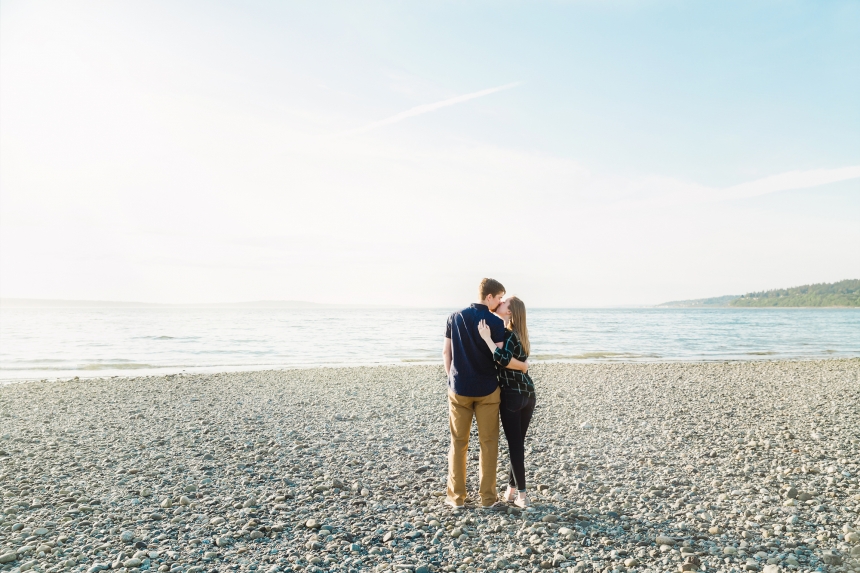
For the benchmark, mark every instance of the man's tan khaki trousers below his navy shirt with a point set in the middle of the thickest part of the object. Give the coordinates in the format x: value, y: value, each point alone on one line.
x: 486, y: 412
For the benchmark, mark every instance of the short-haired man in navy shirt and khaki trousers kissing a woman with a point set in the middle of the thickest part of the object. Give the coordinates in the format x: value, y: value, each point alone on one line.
x: 473, y: 390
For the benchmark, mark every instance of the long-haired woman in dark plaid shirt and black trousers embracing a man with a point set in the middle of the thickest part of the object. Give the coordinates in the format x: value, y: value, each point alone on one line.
x: 518, y: 391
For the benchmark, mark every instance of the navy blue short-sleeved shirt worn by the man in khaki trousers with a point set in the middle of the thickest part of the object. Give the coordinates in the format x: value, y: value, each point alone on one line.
x: 473, y: 372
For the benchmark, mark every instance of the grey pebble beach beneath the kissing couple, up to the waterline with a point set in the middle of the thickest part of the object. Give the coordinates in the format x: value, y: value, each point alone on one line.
x: 729, y: 467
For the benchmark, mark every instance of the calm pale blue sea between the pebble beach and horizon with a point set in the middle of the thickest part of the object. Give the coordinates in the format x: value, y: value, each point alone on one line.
x: 50, y: 343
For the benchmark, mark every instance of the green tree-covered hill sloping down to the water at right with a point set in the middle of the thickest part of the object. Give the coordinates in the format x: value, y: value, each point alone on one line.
x: 844, y: 293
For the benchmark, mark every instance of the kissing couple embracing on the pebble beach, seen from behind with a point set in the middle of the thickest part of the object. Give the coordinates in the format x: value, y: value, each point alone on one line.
x: 485, y: 354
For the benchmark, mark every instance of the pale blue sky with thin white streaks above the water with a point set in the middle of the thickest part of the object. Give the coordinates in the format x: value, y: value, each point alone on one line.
x: 583, y: 153
